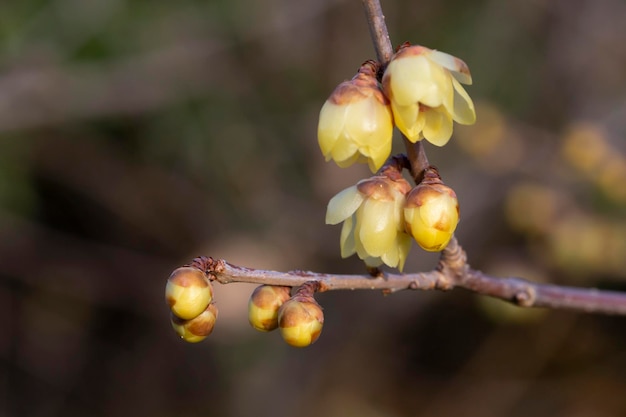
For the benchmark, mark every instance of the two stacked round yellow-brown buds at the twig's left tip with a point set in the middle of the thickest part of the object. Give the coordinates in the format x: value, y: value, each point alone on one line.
x: 189, y: 295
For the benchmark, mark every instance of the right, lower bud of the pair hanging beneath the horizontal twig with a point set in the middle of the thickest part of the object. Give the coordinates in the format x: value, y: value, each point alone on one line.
x: 300, y: 321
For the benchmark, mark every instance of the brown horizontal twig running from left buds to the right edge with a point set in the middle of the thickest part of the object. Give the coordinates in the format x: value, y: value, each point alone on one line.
x: 455, y: 273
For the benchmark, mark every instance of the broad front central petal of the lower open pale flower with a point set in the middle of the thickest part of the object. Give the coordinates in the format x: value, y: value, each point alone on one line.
x: 376, y: 227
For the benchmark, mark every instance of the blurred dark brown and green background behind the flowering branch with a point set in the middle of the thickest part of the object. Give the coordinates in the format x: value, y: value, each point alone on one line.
x: 136, y: 135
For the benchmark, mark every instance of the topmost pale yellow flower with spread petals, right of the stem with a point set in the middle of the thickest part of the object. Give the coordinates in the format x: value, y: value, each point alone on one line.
x: 423, y: 86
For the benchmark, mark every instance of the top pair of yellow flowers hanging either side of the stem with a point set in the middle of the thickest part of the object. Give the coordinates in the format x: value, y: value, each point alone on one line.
x: 421, y: 93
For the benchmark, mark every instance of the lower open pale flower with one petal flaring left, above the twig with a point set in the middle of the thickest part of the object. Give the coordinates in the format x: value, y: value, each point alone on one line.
x: 373, y: 223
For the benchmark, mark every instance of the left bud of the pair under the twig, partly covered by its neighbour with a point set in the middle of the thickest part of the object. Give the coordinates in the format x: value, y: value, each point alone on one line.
x: 264, y: 304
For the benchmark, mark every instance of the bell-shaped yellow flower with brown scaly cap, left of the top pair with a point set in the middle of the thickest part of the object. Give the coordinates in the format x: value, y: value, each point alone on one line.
x: 355, y: 123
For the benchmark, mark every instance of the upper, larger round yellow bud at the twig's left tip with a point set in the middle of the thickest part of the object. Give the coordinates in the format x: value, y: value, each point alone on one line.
x: 188, y: 292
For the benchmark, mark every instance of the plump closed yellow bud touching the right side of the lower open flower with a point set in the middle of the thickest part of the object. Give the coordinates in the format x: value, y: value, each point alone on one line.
x: 431, y: 213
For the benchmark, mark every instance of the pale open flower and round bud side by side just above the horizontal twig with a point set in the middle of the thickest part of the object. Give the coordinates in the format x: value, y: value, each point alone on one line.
x: 381, y: 214
